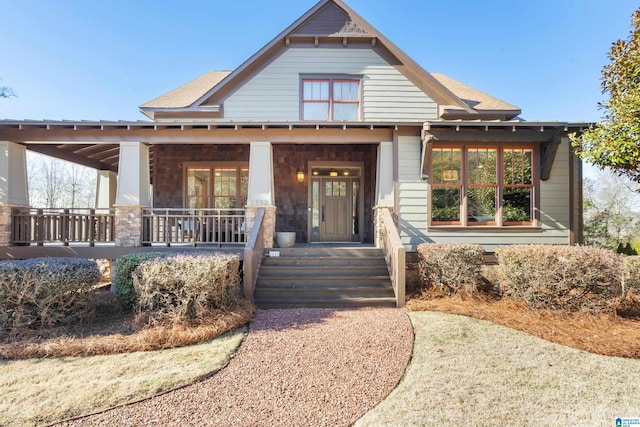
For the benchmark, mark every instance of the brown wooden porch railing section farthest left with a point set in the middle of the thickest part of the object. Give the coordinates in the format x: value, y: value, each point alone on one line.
x: 64, y: 226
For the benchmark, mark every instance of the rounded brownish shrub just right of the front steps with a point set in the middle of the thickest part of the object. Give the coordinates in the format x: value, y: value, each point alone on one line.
x: 450, y: 267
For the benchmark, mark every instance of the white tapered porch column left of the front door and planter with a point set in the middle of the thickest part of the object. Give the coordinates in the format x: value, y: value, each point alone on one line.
x: 261, y: 189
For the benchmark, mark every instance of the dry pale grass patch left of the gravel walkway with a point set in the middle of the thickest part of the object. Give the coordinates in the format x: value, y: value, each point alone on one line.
x: 44, y: 391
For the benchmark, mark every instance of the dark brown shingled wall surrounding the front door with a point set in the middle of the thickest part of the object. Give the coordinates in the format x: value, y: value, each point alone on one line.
x: 291, y: 195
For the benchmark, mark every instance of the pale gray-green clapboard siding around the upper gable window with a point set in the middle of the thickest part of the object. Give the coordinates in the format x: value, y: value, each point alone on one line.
x: 274, y: 93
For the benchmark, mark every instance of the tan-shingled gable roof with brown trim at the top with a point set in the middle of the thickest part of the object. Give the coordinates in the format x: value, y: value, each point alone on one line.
x: 332, y: 19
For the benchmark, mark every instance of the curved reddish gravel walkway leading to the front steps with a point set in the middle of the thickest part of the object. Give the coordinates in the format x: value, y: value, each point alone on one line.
x: 296, y: 367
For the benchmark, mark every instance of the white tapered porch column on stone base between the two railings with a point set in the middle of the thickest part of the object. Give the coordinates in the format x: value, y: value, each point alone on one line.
x: 133, y: 193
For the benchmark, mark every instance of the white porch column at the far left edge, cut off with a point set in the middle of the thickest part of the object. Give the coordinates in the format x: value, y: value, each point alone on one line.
x: 14, y: 188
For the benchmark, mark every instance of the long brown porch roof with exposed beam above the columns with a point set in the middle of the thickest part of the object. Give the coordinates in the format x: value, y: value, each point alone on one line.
x: 95, y: 144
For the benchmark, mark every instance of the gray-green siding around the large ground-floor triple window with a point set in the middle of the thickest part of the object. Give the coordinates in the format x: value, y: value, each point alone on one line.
x: 412, y: 207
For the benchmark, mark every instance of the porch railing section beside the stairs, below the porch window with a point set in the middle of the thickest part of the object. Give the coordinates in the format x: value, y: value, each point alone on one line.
x: 194, y: 226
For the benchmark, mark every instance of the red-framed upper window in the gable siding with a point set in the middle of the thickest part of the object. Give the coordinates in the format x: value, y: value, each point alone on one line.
x: 326, y: 99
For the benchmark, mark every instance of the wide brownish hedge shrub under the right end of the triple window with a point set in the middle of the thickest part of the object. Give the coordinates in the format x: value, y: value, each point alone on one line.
x: 567, y: 278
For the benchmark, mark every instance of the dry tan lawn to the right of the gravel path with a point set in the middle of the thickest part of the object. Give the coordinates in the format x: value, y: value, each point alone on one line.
x: 466, y: 371
